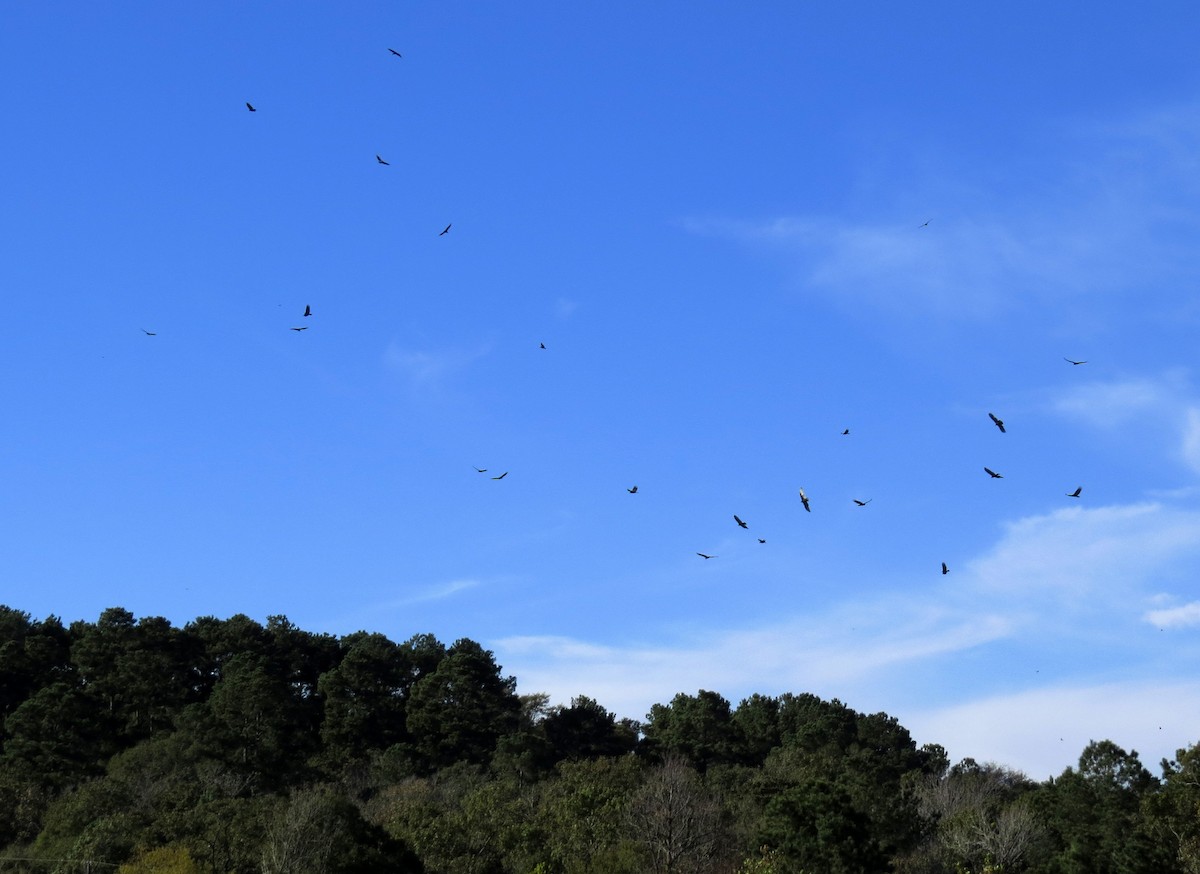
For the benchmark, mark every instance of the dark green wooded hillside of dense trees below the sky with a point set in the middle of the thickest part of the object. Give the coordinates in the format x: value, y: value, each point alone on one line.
x: 227, y: 746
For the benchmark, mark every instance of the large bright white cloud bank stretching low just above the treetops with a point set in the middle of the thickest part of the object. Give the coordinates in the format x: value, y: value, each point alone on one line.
x: 1079, y: 570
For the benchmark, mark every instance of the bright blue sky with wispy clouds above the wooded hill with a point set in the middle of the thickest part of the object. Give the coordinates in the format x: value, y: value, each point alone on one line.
x: 715, y: 218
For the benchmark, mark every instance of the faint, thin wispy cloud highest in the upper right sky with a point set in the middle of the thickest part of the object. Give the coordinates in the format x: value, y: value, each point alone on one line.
x: 1102, y: 231
